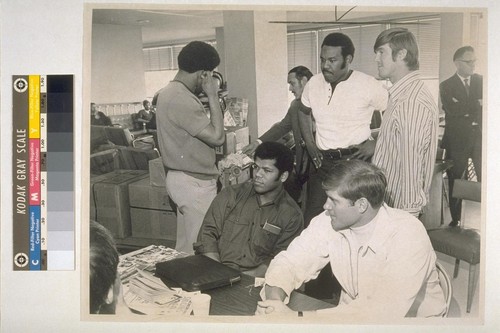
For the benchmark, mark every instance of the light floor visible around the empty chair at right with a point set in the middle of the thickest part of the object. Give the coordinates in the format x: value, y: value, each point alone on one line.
x: 472, y: 219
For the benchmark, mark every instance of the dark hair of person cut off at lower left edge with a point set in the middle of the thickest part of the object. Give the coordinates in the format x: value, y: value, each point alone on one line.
x: 103, y: 263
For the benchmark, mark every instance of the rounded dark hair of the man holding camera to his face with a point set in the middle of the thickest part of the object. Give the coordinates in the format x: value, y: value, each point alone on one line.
x: 198, y: 56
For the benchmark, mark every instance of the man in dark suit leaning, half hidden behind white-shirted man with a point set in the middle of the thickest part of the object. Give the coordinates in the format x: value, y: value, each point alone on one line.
x: 297, y: 79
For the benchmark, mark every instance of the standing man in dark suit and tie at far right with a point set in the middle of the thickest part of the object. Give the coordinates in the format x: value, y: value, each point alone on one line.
x: 462, y: 99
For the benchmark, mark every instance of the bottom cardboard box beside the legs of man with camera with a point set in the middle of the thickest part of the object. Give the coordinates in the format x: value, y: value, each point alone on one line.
x: 154, y: 224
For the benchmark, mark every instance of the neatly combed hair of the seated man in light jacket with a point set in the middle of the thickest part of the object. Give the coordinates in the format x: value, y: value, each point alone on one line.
x: 355, y: 179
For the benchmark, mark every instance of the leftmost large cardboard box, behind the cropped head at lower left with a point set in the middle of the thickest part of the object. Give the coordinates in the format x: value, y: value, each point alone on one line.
x: 109, y: 198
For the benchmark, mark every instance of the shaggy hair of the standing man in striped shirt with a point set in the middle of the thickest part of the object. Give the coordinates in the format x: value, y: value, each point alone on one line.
x: 399, y: 39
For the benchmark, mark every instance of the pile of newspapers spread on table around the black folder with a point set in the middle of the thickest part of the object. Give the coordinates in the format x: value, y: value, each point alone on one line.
x: 146, y: 293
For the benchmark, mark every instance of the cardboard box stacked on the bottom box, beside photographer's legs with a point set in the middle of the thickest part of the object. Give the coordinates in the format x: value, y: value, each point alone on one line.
x: 143, y: 195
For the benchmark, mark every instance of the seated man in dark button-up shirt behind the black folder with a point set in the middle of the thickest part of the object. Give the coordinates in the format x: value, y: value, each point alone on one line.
x: 248, y: 224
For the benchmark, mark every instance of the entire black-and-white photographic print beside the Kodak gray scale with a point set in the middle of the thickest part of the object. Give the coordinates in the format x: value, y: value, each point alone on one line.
x: 331, y: 157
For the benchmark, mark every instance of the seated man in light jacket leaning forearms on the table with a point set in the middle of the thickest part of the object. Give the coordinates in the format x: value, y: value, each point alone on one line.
x: 381, y: 256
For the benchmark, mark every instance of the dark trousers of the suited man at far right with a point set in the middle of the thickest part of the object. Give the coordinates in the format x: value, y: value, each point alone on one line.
x: 460, y: 157
